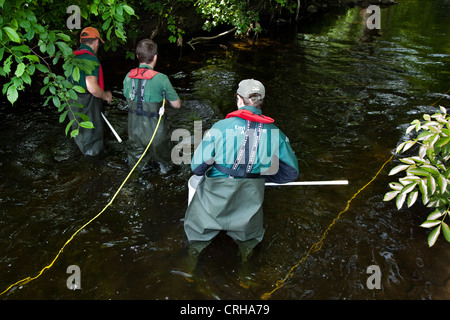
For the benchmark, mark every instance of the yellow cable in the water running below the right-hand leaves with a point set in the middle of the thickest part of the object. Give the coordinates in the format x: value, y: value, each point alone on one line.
x: 318, y: 245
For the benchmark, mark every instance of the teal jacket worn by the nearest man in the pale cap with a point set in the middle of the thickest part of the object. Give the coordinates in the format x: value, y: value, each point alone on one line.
x: 275, y: 160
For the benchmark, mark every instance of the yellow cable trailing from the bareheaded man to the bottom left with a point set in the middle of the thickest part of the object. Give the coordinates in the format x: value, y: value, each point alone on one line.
x: 28, y: 279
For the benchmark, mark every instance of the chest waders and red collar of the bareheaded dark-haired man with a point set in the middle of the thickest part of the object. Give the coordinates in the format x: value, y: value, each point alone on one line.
x: 142, y: 120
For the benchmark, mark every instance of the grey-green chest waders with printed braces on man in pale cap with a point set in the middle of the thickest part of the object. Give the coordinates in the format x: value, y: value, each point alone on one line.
x: 232, y: 203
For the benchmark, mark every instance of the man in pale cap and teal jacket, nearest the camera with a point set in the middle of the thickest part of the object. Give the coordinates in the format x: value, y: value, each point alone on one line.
x: 234, y: 160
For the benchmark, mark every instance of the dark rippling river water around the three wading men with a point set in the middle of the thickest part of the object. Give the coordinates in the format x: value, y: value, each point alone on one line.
x: 342, y: 93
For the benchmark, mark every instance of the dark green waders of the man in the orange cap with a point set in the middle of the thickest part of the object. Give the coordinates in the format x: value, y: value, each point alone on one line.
x: 89, y: 141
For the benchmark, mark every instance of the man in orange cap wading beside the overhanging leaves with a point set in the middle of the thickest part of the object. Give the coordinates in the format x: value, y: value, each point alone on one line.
x: 90, y: 141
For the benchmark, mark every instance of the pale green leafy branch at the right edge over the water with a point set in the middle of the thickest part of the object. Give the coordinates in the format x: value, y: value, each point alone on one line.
x: 427, y: 173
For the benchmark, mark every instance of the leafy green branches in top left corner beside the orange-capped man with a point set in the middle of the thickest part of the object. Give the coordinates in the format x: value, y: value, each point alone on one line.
x: 35, y: 42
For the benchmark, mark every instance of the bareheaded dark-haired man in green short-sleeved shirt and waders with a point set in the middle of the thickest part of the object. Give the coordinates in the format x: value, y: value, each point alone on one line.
x: 145, y: 89
